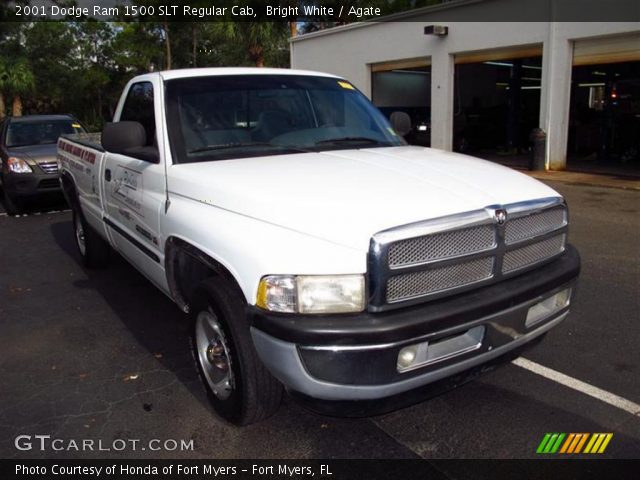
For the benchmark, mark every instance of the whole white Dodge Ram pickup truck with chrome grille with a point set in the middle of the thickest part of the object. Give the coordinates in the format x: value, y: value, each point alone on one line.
x: 313, y: 248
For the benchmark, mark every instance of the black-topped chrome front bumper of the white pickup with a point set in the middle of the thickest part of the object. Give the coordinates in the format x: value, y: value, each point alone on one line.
x: 354, y: 357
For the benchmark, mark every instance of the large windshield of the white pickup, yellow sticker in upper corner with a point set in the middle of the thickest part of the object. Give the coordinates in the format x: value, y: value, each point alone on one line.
x: 222, y: 117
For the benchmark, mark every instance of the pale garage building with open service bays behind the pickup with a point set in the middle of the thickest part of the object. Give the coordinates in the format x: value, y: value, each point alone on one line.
x: 526, y: 69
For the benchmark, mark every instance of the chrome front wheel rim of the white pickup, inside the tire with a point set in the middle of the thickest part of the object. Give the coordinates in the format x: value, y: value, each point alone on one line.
x: 213, y: 355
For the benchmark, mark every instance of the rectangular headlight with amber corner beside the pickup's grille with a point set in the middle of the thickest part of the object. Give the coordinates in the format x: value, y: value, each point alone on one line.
x: 311, y: 293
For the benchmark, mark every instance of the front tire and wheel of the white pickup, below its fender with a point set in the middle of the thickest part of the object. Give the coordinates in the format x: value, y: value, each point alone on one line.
x: 240, y: 388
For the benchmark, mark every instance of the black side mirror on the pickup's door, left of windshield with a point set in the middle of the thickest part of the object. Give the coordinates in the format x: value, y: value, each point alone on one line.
x: 130, y: 139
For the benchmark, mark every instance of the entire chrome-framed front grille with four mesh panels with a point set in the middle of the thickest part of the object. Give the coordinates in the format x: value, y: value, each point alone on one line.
x: 443, y: 256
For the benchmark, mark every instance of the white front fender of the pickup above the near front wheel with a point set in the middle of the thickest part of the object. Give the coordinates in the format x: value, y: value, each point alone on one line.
x: 250, y: 248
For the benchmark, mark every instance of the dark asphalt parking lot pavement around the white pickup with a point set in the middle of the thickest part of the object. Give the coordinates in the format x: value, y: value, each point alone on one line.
x: 104, y: 355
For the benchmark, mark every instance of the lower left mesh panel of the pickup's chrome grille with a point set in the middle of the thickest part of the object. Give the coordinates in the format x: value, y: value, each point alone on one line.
x: 416, y: 284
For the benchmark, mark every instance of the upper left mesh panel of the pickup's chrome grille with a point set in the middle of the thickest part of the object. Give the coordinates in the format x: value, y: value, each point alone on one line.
x: 441, y: 245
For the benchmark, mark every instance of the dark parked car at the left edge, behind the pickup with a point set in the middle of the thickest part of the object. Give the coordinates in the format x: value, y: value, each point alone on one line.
x: 28, y: 155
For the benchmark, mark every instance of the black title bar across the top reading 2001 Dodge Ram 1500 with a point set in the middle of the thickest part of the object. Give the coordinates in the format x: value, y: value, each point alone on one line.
x: 336, y: 11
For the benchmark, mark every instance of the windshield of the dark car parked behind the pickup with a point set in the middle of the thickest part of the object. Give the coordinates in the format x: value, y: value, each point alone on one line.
x: 39, y: 132
